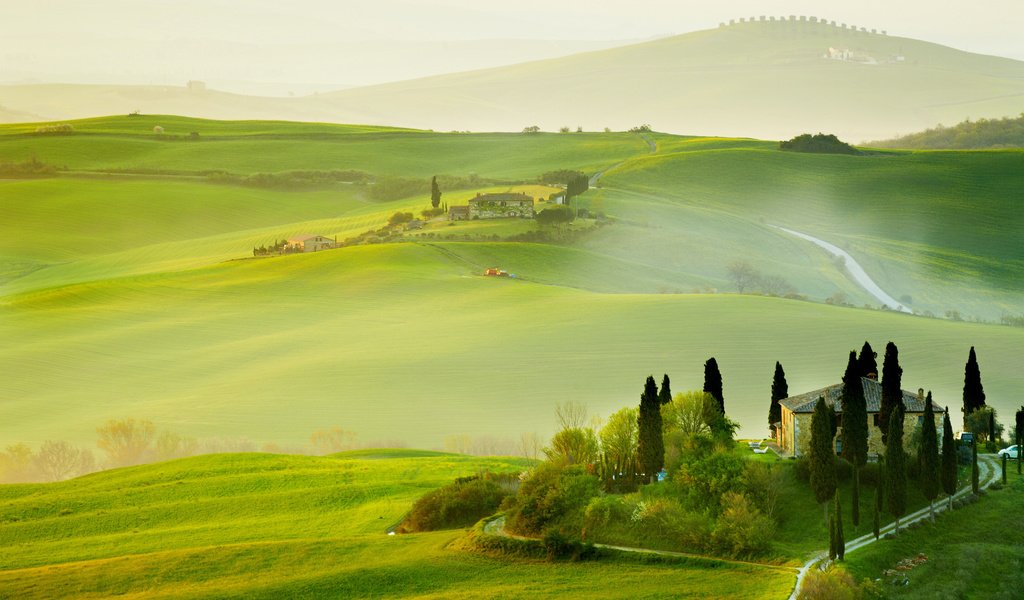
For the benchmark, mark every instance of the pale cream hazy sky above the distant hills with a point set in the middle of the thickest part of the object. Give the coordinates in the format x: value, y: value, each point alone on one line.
x: 315, y: 46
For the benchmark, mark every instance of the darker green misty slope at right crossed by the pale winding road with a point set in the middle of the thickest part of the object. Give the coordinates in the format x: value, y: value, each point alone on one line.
x: 892, y: 211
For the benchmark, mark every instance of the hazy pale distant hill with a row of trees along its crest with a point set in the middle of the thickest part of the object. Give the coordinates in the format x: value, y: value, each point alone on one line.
x: 764, y: 79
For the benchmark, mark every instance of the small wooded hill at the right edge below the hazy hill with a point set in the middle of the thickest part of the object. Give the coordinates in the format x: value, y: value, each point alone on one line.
x: 984, y: 134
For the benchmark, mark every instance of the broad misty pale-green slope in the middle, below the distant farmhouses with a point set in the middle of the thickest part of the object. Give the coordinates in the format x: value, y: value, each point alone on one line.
x: 230, y: 350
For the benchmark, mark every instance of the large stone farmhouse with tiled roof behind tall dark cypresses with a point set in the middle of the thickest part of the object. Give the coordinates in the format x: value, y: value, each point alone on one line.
x: 794, y: 432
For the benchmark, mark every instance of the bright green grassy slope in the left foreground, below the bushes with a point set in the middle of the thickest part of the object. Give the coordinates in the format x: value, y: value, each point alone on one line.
x: 263, y: 527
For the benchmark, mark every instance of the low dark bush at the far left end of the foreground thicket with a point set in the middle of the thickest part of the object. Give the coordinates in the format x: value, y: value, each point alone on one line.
x: 460, y: 504
